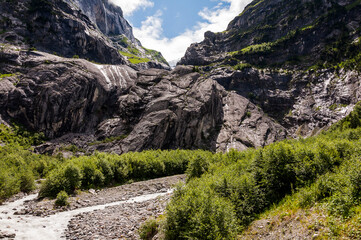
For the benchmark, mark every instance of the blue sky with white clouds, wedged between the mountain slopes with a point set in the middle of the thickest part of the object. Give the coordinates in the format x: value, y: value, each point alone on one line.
x: 170, y: 26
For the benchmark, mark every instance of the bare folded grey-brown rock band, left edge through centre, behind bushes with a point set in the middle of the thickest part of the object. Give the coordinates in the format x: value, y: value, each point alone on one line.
x: 113, y: 108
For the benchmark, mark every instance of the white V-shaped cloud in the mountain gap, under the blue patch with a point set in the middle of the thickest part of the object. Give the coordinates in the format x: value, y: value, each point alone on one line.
x: 215, y: 20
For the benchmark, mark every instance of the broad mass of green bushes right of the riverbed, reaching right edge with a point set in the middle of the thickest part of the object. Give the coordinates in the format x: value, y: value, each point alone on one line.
x: 243, y: 185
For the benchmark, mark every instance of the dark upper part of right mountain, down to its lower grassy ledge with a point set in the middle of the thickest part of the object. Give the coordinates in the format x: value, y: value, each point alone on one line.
x: 282, y: 33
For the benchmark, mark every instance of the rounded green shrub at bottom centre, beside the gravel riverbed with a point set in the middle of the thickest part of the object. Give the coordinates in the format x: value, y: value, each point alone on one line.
x: 196, y: 212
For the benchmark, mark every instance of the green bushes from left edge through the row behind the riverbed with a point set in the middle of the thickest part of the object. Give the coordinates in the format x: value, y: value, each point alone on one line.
x: 19, y: 166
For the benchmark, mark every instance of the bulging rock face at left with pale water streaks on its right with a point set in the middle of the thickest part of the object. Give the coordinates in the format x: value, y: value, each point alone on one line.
x: 56, y: 95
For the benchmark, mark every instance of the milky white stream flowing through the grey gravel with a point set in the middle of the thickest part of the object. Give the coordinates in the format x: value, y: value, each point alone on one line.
x: 50, y: 227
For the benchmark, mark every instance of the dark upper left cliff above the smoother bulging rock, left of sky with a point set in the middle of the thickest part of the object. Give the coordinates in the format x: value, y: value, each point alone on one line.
x: 89, y: 30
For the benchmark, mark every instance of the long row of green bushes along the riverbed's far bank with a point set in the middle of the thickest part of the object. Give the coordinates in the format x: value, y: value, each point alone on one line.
x: 103, y: 169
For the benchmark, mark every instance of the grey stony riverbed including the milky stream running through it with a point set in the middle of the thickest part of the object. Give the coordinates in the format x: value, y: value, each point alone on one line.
x: 112, y: 213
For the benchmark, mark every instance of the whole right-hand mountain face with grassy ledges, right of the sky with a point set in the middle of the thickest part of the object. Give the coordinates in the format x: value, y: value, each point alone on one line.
x: 299, y: 61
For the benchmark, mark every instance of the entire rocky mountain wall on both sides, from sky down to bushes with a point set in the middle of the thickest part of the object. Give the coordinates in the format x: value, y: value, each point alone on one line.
x: 281, y: 69
